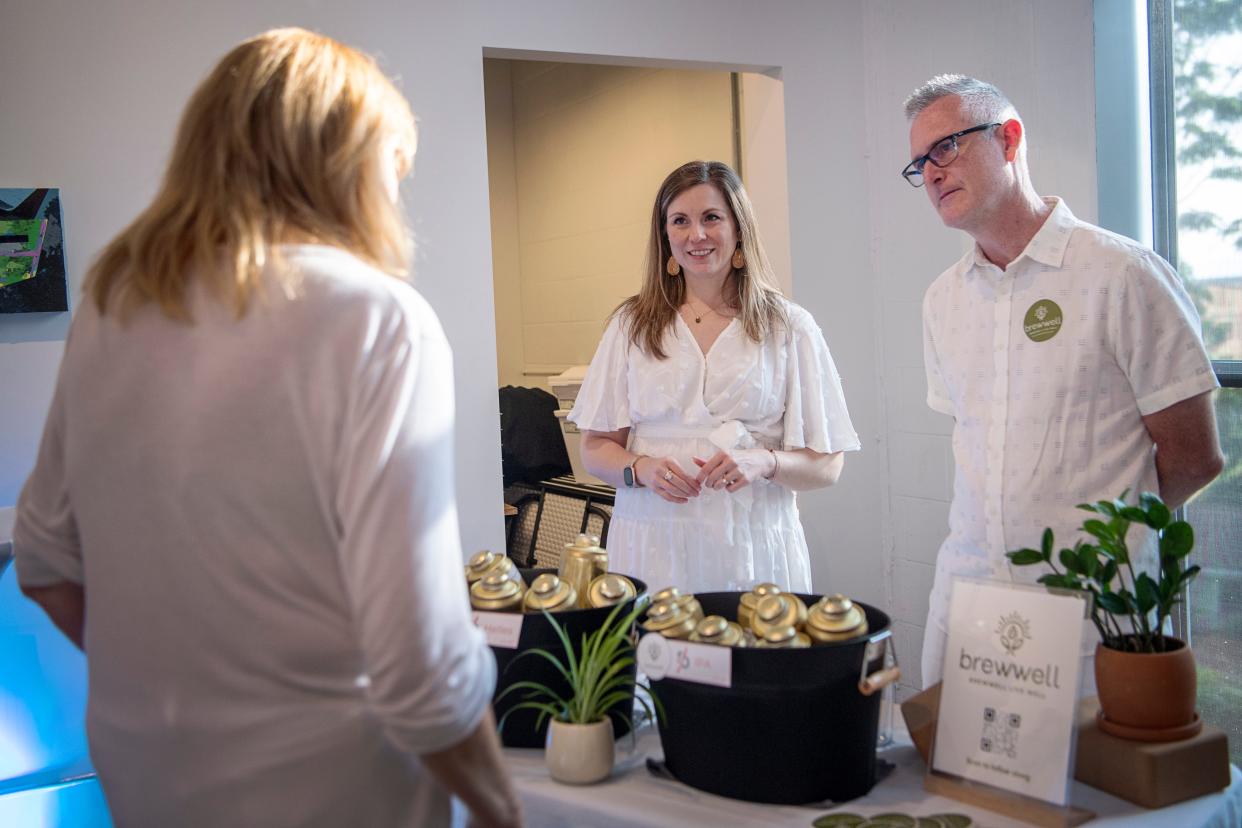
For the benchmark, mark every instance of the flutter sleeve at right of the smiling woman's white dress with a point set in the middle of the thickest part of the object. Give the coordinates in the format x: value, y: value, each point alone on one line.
x: 815, y: 407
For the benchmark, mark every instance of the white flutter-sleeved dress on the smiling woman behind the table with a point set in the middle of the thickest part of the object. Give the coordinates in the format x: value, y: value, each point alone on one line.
x: 783, y: 394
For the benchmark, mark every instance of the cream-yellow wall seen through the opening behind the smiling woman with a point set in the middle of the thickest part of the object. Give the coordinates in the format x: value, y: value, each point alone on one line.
x: 591, y: 146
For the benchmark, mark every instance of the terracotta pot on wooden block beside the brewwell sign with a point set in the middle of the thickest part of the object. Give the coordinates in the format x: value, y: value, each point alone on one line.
x: 1147, y: 697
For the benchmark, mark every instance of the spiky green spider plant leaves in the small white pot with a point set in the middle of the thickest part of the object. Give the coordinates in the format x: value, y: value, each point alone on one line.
x: 598, y: 675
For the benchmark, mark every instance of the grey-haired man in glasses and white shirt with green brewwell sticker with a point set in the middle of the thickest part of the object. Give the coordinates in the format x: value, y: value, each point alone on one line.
x: 1070, y: 358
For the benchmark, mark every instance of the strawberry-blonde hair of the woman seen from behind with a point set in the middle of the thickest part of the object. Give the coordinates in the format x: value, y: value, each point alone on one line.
x: 283, y: 142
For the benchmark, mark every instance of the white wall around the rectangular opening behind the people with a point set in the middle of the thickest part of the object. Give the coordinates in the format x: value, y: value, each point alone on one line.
x: 106, y: 83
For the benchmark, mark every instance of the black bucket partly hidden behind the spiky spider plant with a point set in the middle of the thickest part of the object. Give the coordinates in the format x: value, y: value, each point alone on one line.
x: 520, y: 729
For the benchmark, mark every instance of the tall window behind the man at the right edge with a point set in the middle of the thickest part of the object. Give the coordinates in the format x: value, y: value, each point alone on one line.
x: 1197, y: 120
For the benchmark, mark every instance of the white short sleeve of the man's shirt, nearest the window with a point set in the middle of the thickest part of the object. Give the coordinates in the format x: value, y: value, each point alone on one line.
x: 1157, y: 337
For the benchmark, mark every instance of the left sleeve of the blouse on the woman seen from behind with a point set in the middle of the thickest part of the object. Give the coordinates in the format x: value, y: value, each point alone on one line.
x: 45, y: 537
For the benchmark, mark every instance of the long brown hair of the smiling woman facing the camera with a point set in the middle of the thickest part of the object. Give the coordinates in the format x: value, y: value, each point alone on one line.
x: 756, y: 292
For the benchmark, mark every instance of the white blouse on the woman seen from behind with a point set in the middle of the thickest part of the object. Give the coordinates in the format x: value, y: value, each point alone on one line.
x: 263, y: 516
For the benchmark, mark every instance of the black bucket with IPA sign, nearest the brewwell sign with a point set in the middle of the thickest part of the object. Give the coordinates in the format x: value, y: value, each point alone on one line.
x: 793, y: 729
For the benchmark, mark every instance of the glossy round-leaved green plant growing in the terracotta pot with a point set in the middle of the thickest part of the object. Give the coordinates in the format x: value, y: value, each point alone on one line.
x: 1130, y: 608
